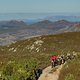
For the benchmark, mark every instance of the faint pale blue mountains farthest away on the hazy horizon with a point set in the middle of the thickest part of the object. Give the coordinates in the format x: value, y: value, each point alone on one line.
x: 53, y: 19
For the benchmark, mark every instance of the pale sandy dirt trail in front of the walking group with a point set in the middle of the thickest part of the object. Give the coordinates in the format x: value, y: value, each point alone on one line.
x: 50, y: 74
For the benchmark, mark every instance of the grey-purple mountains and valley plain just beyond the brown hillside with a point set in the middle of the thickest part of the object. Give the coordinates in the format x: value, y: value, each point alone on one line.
x: 11, y: 31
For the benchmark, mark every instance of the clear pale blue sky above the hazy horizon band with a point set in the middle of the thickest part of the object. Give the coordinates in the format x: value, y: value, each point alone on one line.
x: 39, y: 6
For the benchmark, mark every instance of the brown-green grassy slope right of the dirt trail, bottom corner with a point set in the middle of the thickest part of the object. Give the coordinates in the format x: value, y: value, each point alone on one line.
x: 71, y: 71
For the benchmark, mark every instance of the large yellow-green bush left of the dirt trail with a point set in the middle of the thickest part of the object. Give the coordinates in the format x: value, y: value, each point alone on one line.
x: 22, y: 70
